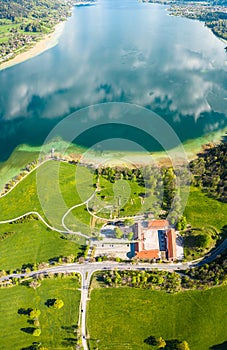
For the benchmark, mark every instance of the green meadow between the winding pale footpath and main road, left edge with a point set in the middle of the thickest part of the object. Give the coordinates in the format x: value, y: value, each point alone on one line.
x: 32, y: 242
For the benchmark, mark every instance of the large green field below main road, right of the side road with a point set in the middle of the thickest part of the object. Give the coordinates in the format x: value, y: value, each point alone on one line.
x: 122, y: 318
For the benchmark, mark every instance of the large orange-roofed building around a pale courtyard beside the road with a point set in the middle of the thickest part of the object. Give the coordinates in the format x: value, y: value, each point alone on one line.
x: 156, y: 240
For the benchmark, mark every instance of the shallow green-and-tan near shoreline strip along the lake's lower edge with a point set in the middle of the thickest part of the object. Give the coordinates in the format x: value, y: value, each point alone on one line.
x: 24, y: 154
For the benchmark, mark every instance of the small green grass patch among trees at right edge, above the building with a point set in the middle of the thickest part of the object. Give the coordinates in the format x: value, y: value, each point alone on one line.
x: 202, y: 211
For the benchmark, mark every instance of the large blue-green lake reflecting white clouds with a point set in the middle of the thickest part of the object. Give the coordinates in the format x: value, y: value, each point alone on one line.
x: 118, y: 53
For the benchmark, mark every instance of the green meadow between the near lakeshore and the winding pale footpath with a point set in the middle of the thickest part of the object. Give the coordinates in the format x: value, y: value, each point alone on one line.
x: 58, y: 187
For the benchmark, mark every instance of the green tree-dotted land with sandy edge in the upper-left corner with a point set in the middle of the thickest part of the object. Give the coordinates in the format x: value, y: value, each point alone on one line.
x: 23, y: 38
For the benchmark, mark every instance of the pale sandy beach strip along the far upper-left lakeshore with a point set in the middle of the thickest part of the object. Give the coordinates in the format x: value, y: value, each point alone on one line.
x: 44, y: 44
